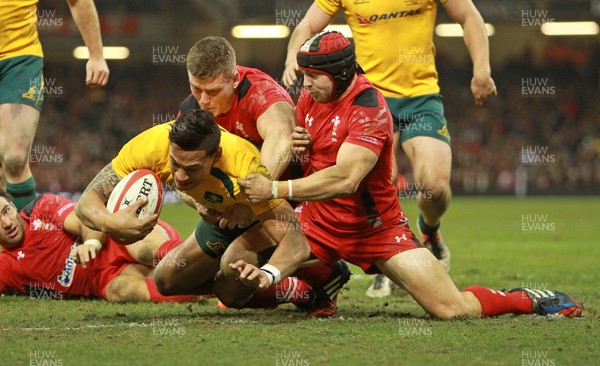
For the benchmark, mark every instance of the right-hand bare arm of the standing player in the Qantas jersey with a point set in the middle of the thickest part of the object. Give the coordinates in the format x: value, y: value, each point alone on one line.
x: 476, y: 40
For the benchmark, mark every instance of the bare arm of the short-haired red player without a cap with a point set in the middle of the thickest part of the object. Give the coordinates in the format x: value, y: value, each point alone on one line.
x: 276, y: 126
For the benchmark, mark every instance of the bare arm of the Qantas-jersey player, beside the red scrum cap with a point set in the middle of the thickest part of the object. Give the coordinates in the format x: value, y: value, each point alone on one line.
x: 313, y: 22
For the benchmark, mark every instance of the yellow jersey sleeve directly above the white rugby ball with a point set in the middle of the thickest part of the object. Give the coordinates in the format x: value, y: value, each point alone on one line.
x: 148, y: 150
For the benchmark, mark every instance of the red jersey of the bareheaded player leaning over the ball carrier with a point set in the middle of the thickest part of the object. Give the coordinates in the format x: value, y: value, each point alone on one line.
x: 257, y: 91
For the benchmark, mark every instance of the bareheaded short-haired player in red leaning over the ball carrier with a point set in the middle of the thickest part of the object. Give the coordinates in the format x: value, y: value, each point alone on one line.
x: 244, y: 101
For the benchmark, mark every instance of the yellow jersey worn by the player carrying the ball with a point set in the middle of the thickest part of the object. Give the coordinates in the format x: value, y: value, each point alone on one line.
x: 150, y: 150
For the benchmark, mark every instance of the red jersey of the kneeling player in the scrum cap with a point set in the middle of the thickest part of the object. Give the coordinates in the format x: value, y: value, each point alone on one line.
x: 362, y: 118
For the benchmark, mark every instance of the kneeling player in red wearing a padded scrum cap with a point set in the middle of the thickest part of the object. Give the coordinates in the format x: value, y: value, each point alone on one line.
x: 353, y: 212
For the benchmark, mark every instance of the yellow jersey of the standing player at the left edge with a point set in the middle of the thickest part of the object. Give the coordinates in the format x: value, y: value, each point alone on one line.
x: 18, y: 29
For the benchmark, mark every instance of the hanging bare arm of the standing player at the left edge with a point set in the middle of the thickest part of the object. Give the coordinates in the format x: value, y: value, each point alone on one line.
x: 86, y: 18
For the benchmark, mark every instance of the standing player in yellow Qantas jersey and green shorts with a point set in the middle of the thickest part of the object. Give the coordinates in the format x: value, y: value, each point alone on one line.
x: 394, y: 46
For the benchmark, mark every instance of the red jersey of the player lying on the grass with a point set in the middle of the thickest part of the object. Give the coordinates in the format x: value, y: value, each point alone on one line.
x: 42, y: 266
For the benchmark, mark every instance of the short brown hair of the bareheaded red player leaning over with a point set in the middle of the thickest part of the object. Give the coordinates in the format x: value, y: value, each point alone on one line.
x: 210, y: 57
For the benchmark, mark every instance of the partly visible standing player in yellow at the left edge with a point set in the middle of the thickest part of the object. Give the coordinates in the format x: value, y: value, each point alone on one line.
x: 22, y: 85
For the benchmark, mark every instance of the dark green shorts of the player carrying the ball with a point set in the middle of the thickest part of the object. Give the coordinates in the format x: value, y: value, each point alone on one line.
x: 213, y: 240
